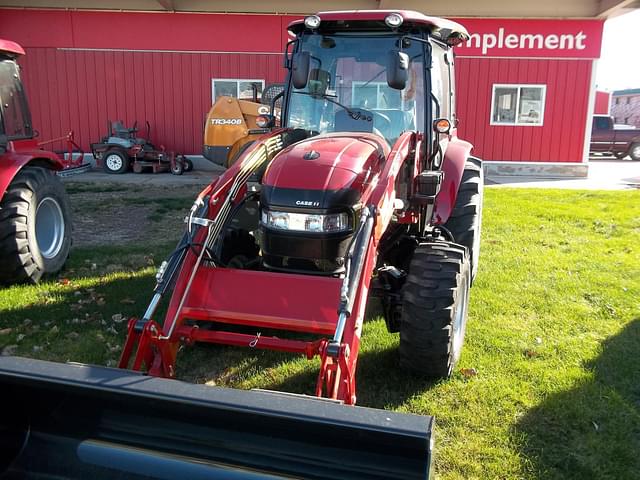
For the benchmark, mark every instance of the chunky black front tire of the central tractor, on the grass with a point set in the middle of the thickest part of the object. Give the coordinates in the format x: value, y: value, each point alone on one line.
x: 435, y: 299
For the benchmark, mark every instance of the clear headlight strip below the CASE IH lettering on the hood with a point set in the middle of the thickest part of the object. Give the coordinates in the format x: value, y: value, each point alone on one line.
x: 303, y: 222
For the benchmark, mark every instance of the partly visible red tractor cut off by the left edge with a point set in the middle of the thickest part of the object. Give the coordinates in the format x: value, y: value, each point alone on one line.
x: 35, y: 222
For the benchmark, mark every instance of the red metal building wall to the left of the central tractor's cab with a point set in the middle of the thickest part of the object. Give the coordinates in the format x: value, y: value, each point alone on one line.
x: 154, y: 67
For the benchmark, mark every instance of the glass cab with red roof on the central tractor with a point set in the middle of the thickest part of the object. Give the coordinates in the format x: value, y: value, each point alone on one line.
x: 377, y: 72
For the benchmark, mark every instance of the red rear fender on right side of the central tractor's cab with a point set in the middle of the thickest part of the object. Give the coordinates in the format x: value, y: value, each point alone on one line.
x: 455, y: 158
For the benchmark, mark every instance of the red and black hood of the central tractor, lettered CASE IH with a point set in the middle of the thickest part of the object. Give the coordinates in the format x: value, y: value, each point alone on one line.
x: 326, y: 172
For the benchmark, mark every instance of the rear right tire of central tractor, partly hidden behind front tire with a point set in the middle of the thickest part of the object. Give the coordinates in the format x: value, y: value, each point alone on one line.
x: 465, y: 222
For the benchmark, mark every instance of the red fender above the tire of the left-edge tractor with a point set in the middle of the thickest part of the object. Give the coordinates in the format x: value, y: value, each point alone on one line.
x: 20, y: 153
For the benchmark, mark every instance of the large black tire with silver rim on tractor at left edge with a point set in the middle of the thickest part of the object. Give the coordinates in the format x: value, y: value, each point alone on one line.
x: 35, y: 226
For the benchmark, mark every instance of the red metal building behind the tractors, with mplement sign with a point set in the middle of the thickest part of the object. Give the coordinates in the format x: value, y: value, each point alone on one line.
x: 525, y: 88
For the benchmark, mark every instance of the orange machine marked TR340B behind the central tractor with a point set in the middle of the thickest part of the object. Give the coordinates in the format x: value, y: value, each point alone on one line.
x: 232, y: 124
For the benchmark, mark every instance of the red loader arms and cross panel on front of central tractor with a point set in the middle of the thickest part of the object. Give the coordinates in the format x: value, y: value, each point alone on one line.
x: 336, y: 312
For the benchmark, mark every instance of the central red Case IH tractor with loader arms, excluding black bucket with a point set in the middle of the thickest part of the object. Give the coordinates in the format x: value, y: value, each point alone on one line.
x: 364, y: 190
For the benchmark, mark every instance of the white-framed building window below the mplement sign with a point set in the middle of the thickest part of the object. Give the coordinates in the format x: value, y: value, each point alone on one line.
x: 518, y: 105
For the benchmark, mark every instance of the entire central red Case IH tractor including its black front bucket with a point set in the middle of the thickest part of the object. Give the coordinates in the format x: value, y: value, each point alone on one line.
x: 364, y: 190
